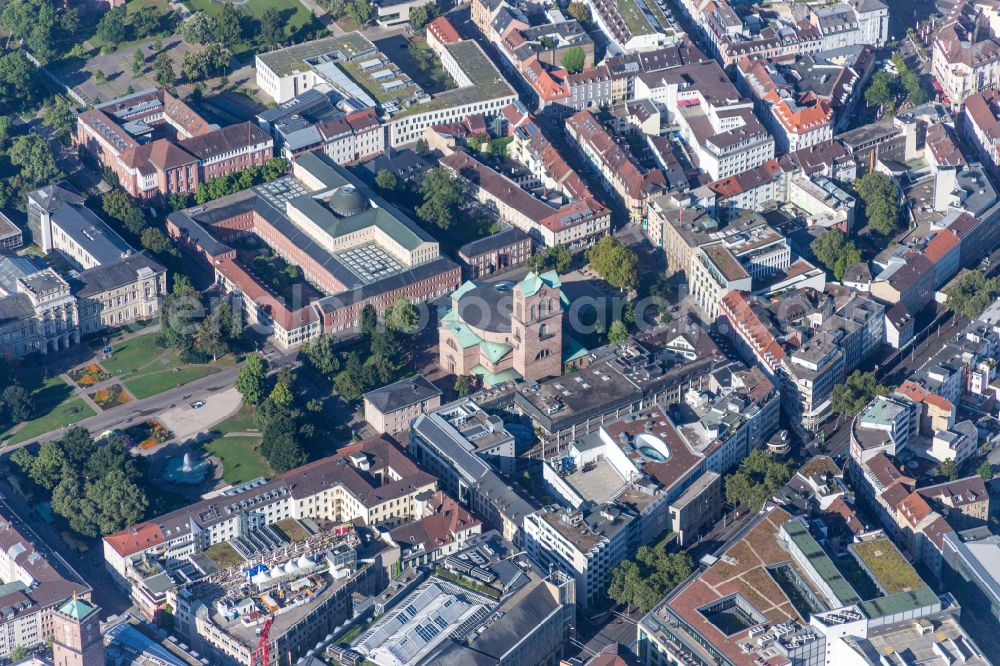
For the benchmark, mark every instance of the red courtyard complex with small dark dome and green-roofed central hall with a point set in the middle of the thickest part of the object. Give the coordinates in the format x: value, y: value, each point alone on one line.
x: 352, y: 247
